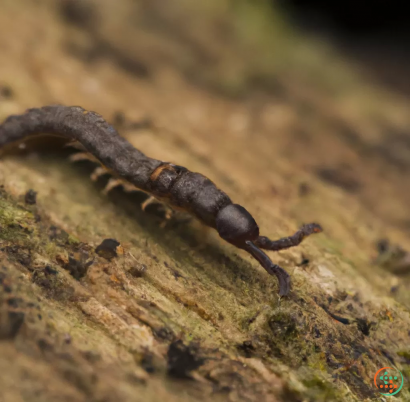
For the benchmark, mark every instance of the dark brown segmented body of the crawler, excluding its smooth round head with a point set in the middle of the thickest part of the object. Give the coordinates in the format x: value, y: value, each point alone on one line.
x: 181, y: 188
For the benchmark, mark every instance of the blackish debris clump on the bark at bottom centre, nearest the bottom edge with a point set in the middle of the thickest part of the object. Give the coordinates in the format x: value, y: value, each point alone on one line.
x: 183, y: 359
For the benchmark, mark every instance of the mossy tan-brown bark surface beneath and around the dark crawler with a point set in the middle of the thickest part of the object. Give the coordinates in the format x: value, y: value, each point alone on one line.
x: 286, y: 126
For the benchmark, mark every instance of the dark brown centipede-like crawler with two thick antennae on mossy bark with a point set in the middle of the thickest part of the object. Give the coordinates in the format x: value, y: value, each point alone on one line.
x: 166, y: 182
